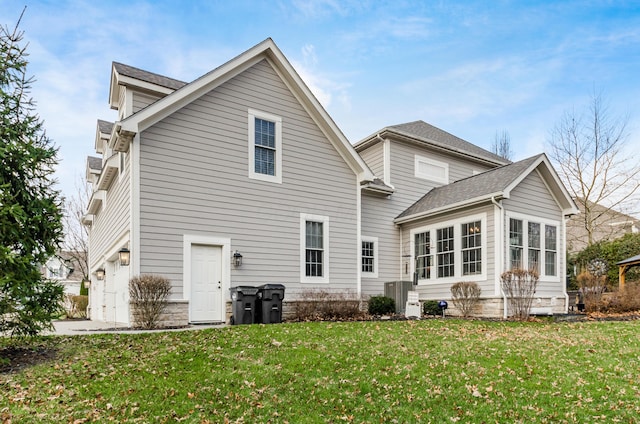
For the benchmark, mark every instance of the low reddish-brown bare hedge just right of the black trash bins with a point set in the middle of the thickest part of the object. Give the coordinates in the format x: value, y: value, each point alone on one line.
x: 320, y: 305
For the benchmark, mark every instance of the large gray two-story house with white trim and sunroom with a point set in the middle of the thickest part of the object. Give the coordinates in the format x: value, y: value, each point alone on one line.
x: 245, y: 161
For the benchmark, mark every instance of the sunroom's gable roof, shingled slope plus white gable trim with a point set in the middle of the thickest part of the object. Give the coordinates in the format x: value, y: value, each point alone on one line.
x: 496, y: 183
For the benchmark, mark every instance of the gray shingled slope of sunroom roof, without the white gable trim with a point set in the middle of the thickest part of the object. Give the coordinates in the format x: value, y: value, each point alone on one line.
x: 477, y: 186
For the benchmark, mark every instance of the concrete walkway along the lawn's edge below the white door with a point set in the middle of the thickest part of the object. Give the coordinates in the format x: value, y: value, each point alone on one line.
x: 87, y: 327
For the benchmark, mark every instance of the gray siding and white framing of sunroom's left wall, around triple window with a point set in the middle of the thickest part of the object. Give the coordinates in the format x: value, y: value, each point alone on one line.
x: 442, y: 290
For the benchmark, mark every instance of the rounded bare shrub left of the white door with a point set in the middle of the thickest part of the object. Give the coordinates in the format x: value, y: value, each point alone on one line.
x: 148, y: 295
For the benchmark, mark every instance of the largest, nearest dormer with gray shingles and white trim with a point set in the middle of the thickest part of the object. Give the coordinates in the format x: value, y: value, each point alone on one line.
x: 133, y: 89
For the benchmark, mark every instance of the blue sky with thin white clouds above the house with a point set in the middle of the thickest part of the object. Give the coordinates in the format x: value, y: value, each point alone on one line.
x: 471, y: 68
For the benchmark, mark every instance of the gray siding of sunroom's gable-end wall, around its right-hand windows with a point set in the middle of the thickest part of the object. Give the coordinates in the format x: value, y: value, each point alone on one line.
x: 532, y: 198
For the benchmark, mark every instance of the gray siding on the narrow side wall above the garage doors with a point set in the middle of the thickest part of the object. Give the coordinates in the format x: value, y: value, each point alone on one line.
x: 113, y: 219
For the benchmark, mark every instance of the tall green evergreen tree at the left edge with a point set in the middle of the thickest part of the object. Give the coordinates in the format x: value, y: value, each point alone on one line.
x: 30, y: 207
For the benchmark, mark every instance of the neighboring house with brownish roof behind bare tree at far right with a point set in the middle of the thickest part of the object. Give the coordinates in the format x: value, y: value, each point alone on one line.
x: 608, y: 224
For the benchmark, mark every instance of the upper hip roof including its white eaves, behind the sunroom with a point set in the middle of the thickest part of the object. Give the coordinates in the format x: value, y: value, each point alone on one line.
x: 423, y: 133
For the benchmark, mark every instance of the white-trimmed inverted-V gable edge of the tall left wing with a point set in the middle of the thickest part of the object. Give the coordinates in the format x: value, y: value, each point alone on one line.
x: 266, y: 50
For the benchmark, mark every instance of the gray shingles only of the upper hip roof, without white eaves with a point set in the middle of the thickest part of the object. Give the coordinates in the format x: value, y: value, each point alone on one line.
x: 428, y: 132
